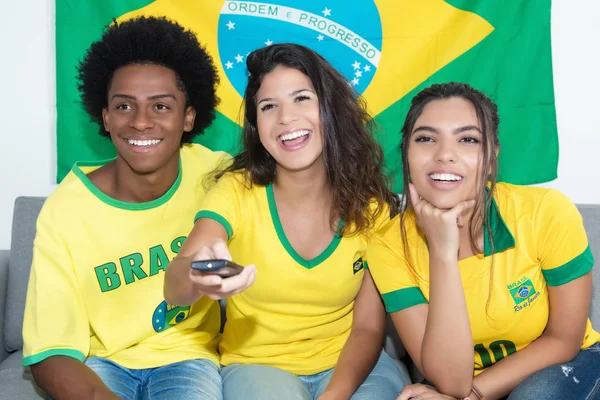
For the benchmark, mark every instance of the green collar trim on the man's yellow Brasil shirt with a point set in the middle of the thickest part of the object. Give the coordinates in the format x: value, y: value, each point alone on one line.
x: 118, y: 203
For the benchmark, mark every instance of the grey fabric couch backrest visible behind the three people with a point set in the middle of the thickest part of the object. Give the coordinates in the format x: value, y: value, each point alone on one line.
x: 28, y: 208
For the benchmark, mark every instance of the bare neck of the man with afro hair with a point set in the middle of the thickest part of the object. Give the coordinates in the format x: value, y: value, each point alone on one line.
x: 133, y: 187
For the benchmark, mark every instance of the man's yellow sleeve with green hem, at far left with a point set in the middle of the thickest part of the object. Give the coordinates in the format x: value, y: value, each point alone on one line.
x: 55, y: 321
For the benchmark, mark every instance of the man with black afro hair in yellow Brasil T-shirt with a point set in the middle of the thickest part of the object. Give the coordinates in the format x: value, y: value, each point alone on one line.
x: 96, y: 324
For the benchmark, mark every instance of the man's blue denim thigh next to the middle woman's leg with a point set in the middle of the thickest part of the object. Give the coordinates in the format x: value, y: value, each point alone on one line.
x: 191, y: 379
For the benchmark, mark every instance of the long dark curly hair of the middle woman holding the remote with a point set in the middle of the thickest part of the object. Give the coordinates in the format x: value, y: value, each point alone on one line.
x: 353, y: 158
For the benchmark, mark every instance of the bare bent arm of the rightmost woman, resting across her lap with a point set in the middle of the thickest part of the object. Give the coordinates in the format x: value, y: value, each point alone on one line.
x: 560, y: 342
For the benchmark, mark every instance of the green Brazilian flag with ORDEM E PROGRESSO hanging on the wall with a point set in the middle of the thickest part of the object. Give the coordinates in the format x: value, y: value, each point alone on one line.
x: 387, y: 49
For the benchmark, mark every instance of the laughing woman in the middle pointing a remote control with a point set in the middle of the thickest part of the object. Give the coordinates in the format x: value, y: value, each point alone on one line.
x: 299, y: 202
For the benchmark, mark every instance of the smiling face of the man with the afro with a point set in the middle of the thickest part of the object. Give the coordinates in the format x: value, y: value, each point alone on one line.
x: 146, y: 116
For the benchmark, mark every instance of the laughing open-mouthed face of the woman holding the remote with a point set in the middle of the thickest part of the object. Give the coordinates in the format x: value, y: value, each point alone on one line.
x: 288, y: 121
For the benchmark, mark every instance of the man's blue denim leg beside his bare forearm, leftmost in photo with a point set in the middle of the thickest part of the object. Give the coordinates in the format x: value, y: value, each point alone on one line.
x: 122, y: 381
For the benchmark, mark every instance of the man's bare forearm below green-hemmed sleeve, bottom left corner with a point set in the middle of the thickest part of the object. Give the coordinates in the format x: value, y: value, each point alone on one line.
x: 67, y: 378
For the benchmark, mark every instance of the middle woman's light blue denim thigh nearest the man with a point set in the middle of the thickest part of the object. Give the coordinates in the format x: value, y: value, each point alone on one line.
x: 261, y: 382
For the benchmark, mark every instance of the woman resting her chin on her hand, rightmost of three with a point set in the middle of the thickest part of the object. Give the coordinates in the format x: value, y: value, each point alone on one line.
x: 488, y: 284
